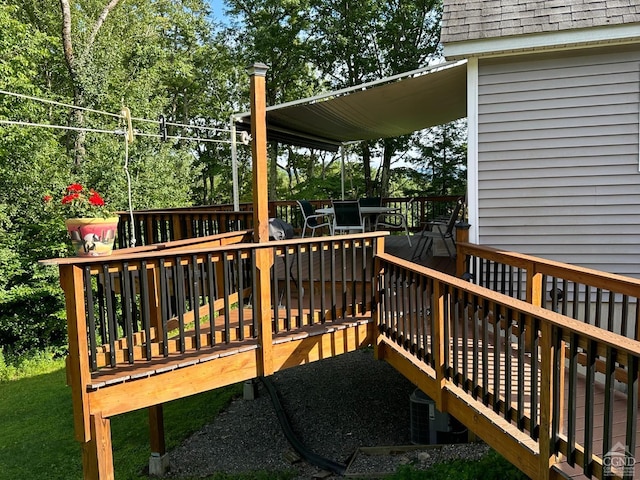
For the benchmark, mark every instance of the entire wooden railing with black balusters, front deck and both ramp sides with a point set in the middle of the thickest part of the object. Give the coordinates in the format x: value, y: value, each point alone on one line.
x: 493, y: 357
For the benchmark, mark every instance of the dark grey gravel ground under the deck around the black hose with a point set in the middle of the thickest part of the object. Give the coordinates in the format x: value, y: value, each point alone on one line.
x: 338, y: 408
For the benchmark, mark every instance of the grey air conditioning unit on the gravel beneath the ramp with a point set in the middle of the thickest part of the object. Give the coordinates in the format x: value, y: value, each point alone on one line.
x: 429, y: 426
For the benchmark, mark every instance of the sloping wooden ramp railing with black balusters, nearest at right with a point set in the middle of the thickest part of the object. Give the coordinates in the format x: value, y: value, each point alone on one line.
x: 483, y: 346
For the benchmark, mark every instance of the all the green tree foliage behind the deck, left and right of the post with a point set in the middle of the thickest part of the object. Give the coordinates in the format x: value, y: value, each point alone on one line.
x: 169, y: 58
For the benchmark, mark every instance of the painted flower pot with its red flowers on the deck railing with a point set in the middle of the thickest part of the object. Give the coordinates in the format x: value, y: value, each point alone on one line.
x: 91, y: 226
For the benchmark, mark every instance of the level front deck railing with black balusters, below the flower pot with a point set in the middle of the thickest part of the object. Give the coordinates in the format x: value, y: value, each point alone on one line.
x: 195, y: 295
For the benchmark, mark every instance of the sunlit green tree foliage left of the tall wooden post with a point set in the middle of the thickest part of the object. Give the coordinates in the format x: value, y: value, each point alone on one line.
x: 153, y: 57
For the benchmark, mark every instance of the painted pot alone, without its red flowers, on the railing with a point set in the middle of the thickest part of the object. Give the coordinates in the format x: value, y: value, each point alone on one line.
x: 92, y: 237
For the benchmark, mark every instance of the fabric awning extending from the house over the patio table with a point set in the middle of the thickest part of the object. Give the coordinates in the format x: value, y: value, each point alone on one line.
x: 386, y: 108
